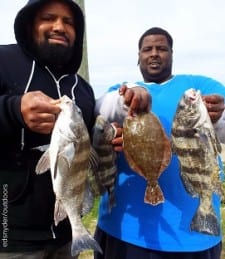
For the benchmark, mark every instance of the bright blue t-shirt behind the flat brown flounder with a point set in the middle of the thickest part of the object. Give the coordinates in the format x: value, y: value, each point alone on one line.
x: 165, y: 227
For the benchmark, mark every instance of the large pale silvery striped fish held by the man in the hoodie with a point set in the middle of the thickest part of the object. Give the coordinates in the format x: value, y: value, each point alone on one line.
x: 68, y: 161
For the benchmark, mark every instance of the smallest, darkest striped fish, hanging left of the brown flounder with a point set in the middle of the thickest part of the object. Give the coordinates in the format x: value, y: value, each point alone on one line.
x: 103, y: 134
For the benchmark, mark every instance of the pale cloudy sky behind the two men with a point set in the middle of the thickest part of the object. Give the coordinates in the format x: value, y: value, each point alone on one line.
x: 114, y: 27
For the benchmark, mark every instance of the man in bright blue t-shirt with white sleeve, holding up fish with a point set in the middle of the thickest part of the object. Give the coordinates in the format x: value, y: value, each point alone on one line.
x: 134, y: 229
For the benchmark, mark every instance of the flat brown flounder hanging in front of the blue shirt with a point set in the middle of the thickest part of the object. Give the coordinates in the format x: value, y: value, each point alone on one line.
x: 148, y: 151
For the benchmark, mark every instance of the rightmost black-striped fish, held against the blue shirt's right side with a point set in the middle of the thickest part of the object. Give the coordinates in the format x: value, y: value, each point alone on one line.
x: 197, y: 147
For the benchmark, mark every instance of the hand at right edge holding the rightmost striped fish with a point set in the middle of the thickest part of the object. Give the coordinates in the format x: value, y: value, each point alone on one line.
x: 215, y: 106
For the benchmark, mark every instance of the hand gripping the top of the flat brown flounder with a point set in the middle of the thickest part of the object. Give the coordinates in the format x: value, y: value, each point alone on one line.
x: 136, y: 98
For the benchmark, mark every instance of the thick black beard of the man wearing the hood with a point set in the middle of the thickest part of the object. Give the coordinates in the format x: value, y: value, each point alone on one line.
x: 54, y: 56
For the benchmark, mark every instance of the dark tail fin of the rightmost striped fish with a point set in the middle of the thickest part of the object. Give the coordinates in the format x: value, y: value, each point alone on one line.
x: 206, y: 222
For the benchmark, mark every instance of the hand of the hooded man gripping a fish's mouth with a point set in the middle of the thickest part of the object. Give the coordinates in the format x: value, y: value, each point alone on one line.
x: 39, y: 111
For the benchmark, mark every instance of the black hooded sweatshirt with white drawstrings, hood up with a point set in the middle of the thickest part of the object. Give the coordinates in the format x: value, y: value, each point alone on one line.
x: 27, y: 200
